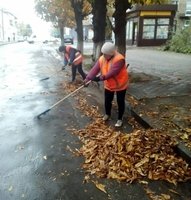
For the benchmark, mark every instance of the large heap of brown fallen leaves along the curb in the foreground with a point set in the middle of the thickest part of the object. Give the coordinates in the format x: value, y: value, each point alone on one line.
x: 128, y: 157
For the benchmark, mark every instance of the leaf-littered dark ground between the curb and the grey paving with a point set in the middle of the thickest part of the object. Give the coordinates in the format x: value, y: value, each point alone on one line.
x: 171, y: 115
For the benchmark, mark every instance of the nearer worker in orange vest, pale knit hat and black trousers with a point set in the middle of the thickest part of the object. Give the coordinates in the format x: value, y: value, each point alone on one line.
x: 114, y: 73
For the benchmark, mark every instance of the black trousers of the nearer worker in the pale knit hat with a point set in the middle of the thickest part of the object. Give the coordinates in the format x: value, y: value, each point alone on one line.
x: 120, y: 102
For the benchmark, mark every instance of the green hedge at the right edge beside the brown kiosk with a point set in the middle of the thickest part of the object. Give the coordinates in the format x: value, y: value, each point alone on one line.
x: 180, y: 42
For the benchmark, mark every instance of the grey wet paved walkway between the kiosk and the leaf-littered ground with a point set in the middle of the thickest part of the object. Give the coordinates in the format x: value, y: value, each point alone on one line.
x: 159, y: 73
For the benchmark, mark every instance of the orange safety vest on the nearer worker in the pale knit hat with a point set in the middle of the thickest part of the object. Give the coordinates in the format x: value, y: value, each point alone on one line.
x: 118, y: 82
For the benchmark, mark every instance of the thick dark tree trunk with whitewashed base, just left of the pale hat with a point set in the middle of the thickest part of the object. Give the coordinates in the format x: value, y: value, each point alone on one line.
x: 99, y: 23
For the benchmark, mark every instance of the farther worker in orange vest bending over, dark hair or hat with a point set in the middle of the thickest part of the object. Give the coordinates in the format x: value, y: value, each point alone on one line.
x: 73, y: 58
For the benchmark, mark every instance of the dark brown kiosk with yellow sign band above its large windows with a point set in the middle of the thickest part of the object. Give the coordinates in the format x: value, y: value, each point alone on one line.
x: 150, y: 25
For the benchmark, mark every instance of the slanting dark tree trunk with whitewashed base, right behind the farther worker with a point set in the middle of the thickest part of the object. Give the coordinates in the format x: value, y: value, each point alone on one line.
x: 78, y: 6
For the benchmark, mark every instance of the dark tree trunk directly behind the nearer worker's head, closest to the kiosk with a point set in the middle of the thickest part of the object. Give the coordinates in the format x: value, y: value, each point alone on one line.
x: 120, y: 24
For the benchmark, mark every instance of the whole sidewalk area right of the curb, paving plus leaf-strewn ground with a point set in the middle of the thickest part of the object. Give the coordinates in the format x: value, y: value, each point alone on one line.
x: 160, y: 93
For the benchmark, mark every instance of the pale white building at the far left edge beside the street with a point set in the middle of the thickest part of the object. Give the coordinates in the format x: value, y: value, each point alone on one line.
x: 8, y: 26
